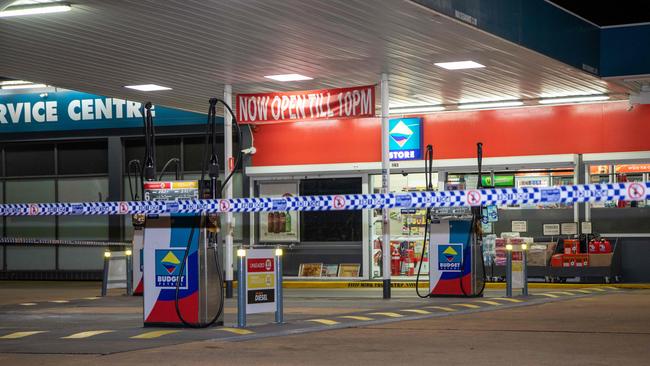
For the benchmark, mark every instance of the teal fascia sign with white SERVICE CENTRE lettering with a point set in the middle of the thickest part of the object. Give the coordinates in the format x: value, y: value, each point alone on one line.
x: 71, y: 110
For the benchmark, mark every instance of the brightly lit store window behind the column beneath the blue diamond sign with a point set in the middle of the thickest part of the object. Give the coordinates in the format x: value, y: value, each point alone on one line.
x: 406, y: 230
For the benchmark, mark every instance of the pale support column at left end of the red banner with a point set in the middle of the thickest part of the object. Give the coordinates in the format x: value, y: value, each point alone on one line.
x: 227, y: 131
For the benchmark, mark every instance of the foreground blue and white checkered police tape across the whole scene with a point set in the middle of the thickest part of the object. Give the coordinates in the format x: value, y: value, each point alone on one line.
x: 473, y: 197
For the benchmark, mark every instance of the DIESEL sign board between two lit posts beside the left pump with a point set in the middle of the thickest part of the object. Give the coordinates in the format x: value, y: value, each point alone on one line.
x: 260, y: 281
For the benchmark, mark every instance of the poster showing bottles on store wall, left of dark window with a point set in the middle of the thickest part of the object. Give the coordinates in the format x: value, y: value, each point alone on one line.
x: 279, y: 226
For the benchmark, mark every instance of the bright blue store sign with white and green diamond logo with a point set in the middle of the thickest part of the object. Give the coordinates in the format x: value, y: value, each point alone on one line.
x: 405, y: 138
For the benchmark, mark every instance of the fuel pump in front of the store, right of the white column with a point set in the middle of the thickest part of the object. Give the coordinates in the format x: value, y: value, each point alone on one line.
x: 453, y: 235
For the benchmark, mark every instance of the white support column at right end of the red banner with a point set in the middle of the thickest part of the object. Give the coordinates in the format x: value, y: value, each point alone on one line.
x: 385, y: 185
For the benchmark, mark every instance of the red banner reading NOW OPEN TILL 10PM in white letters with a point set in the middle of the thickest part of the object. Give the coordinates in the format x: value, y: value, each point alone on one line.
x: 340, y: 103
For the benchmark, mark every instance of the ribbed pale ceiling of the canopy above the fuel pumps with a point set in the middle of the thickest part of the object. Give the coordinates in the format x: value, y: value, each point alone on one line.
x: 195, y: 47
